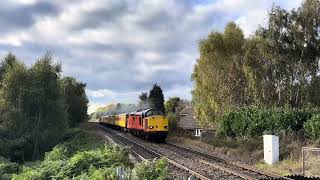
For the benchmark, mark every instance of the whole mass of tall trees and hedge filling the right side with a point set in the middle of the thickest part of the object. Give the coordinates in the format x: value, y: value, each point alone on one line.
x: 263, y: 84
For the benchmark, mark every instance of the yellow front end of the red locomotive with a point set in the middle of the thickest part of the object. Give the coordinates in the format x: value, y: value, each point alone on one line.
x: 157, y: 123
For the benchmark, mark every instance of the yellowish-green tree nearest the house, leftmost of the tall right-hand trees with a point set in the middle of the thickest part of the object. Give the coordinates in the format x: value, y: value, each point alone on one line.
x: 219, y: 80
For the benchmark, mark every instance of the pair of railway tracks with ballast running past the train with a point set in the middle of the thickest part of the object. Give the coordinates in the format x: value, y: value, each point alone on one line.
x: 199, y: 164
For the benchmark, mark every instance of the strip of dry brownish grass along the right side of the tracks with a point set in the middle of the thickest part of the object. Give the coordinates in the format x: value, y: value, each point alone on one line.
x: 247, y: 151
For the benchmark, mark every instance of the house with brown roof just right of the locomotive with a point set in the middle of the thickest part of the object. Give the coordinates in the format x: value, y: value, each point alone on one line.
x: 189, y: 123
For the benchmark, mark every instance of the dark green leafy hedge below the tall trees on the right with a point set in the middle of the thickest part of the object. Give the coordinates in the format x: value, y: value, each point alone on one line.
x: 256, y: 121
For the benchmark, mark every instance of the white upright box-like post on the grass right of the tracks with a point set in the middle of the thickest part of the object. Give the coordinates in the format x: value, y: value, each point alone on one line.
x: 271, y: 148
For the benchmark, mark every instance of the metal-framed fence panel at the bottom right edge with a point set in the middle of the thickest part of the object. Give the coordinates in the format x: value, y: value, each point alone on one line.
x: 311, y: 161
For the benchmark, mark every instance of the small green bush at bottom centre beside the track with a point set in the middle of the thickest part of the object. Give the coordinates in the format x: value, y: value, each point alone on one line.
x: 150, y: 170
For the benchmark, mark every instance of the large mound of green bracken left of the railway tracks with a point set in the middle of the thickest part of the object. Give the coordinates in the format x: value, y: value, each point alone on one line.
x: 81, y: 156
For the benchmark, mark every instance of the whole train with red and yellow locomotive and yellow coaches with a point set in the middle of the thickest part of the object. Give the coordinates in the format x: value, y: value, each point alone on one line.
x: 150, y: 124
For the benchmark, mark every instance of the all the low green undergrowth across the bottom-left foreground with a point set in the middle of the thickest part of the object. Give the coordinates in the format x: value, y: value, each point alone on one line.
x: 83, y: 155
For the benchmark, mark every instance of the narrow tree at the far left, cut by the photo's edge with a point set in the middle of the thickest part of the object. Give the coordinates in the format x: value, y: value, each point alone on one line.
x: 13, y: 120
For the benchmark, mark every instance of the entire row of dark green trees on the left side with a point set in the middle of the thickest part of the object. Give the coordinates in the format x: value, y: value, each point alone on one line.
x: 37, y: 105
